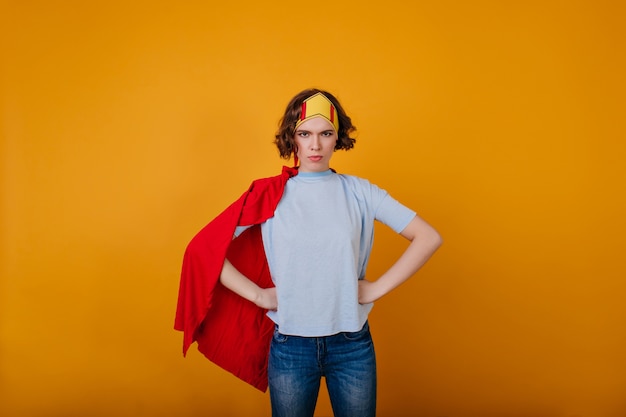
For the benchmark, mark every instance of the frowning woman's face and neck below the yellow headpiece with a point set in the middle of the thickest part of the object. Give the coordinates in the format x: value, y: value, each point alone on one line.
x: 315, y: 140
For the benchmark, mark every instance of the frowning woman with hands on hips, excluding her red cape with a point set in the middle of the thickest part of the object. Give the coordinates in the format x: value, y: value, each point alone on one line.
x: 317, y: 244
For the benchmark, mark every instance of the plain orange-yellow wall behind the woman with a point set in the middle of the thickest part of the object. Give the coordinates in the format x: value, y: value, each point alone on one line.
x: 127, y: 125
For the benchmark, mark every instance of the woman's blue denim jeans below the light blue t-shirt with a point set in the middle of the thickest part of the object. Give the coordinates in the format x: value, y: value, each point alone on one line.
x: 346, y: 360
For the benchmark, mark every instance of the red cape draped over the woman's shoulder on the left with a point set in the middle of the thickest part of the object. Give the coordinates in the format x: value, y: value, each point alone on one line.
x: 231, y: 331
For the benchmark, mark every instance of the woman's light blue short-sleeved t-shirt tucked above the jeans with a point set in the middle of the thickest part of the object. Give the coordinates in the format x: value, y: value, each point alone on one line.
x: 317, y: 246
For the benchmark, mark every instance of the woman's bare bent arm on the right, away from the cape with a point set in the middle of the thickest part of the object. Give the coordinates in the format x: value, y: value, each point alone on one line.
x: 424, y: 242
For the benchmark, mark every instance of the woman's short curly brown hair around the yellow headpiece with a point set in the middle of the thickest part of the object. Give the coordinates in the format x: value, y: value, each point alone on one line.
x: 287, y: 125
